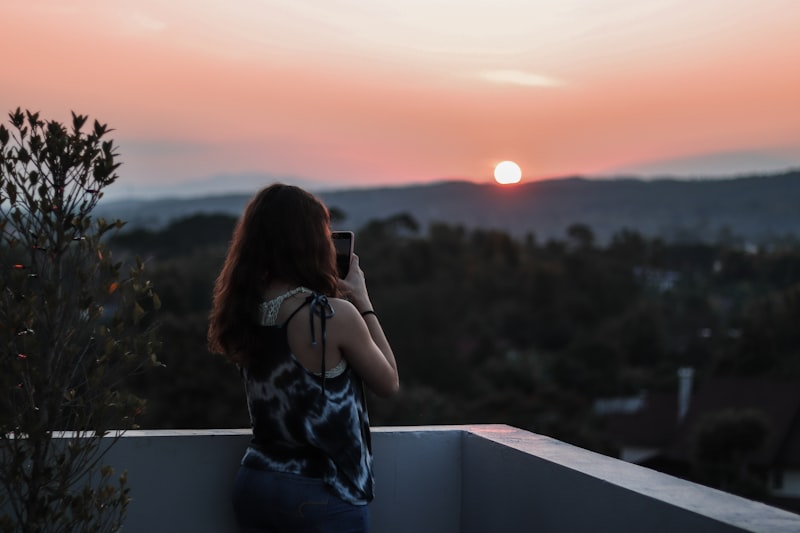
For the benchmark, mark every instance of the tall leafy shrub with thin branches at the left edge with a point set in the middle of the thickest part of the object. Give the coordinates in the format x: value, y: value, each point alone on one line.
x: 73, y: 326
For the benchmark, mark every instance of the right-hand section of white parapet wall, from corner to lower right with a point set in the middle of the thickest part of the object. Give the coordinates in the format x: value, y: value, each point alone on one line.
x: 558, y: 487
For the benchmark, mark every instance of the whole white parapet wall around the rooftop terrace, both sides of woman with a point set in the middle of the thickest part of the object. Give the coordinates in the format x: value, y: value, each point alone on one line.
x: 443, y: 479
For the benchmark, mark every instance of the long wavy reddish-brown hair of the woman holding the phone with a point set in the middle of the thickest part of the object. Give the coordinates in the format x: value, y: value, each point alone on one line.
x: 283, y: 234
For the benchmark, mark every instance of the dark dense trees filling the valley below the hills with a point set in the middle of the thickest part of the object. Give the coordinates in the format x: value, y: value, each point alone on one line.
x: 488, y: 328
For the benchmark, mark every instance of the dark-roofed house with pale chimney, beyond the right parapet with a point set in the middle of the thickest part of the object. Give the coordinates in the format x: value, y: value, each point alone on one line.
x: 662, y: 432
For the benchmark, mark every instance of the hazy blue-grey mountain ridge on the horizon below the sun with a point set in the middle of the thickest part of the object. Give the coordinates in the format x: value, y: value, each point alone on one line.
x: 756, y: 208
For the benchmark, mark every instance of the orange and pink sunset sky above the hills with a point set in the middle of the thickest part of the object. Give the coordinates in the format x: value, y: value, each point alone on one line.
x: 347, y: 92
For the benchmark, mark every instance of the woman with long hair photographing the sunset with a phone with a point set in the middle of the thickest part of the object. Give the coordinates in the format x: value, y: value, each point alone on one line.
x: 305, y: 341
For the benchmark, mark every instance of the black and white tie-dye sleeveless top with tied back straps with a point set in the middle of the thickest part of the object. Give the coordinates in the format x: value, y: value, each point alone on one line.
x: 307, y: 423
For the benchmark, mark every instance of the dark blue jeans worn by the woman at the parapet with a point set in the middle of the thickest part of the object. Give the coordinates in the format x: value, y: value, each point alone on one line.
x: 276, y: 502
